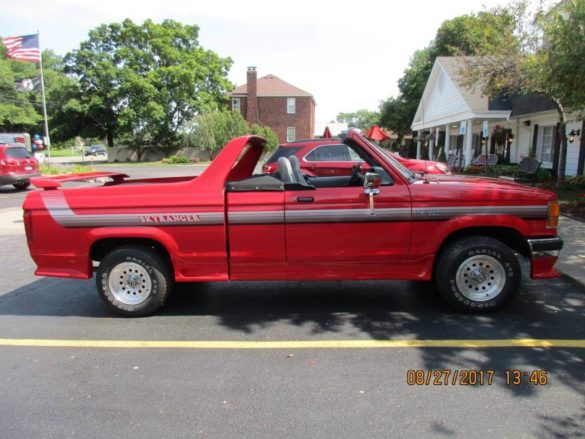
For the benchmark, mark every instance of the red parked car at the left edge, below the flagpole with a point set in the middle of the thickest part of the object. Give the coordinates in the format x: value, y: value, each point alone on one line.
x: 17, y: 166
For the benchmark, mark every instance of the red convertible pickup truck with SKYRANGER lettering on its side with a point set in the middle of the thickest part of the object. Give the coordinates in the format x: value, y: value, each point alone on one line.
x: 466, y: 234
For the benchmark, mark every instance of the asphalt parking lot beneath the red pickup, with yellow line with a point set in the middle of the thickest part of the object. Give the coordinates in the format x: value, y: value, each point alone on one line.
x: 266, y: 359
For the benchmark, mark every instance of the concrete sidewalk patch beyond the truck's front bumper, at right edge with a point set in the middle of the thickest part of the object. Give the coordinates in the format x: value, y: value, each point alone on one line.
x: 572, y: 259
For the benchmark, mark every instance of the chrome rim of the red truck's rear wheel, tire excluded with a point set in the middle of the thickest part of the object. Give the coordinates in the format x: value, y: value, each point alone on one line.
x: 130, y: 283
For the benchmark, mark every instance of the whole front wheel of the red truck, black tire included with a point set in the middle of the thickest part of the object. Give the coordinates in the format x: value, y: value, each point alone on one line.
x: 477, y: 274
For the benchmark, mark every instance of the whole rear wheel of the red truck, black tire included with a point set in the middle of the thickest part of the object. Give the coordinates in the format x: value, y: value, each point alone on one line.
x: 134, y: 281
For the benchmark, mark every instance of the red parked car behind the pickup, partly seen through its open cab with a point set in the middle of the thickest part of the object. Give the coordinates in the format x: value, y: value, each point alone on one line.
x: 331, y: 157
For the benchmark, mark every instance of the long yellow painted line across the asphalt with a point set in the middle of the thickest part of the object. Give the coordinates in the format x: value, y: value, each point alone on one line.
x: 312, y: 344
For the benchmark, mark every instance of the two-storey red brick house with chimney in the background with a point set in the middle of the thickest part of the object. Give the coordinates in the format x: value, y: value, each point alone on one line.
x: 270, y: 101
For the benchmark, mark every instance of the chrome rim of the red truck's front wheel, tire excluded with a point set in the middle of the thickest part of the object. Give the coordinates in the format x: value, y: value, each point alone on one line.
x: 481, y: 278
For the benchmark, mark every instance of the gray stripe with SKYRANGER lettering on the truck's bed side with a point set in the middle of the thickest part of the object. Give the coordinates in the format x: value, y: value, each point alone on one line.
x: 63, y: 215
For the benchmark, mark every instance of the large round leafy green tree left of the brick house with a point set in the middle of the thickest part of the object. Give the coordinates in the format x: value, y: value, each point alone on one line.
x: 141, y: 83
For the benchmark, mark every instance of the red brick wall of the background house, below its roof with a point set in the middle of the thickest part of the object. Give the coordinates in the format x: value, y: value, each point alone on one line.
x: 272, y: 112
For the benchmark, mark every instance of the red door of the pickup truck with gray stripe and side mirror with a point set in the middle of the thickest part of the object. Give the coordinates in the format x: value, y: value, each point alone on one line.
x: 334, y: 225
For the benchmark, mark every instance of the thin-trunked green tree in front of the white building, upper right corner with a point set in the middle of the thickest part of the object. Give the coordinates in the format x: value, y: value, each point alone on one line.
x: 539, y: 59
